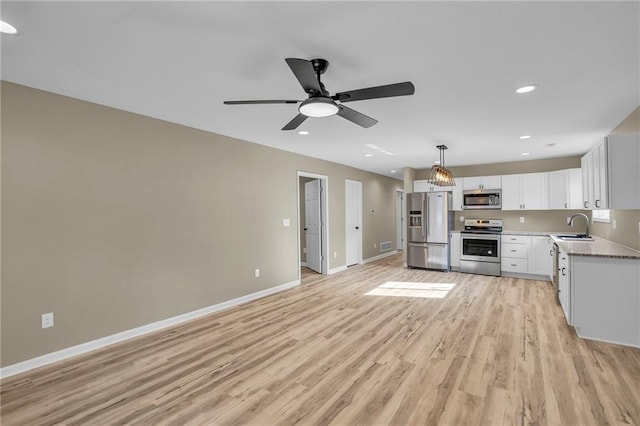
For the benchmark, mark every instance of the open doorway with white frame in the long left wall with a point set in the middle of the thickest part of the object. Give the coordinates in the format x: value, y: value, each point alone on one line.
x: 313, y: 223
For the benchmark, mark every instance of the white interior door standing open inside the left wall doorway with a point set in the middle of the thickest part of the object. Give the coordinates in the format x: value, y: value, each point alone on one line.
x: 312, y: 224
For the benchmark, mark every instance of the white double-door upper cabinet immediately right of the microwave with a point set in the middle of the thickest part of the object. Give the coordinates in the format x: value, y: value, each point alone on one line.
x: 524, y: 192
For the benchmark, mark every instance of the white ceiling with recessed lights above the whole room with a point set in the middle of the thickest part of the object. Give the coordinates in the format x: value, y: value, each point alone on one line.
x: 178, y: 61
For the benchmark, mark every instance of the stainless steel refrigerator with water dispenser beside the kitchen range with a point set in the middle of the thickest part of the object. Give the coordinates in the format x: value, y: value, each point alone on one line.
x: 430, y: 219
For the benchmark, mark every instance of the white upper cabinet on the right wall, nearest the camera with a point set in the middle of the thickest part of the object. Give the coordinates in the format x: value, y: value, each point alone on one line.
x: 611, y: 172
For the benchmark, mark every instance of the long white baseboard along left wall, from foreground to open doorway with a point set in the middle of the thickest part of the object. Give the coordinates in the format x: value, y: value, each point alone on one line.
x: 92, y: 345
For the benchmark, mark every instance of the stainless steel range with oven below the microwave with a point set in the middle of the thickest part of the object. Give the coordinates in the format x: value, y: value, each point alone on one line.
x: 480, y: 246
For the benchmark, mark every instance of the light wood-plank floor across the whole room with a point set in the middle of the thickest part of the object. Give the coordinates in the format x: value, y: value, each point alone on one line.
x: 493, y: 351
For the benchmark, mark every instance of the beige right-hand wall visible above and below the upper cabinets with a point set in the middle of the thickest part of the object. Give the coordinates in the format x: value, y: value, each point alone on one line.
x: 627, y: 221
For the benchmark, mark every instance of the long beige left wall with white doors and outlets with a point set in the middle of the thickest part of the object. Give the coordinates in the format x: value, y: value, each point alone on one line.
x: 112, y: 220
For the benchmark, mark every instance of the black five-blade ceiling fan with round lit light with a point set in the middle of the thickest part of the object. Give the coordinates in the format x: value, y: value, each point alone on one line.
x: 321, y: 104
